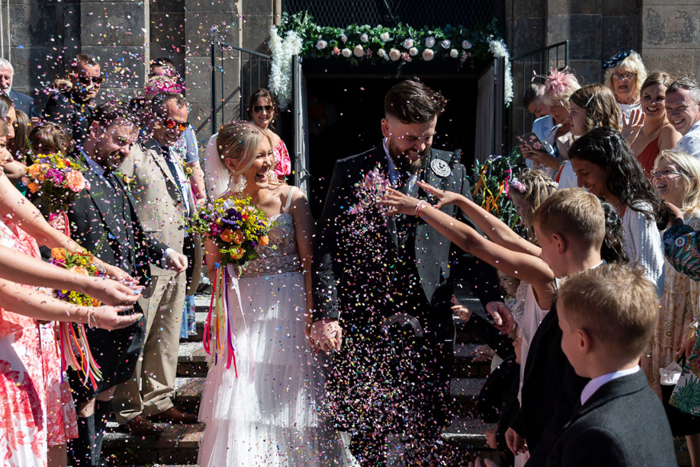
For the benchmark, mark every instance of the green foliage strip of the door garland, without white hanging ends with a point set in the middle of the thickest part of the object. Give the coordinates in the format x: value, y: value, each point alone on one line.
x: 373, y: 49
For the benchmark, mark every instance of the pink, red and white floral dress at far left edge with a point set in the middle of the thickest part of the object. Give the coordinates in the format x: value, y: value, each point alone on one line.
x: 36, y: 410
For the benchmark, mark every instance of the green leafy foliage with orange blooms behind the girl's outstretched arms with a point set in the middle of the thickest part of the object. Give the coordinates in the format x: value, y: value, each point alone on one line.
x: 489, y: 182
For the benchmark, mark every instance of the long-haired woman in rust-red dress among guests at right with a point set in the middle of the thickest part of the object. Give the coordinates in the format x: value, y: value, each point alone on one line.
x: 648, y: 131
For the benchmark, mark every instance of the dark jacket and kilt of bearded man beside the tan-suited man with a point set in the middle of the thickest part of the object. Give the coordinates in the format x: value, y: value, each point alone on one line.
x: 104, y: 221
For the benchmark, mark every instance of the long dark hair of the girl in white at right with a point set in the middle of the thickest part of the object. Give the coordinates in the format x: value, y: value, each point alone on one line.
x: 606, y: 148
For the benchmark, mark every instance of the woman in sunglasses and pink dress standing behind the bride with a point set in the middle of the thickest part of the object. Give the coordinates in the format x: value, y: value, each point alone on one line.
x: 262, y: 110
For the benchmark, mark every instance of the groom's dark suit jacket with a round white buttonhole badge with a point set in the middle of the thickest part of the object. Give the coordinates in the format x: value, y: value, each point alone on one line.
x: 347, y: 279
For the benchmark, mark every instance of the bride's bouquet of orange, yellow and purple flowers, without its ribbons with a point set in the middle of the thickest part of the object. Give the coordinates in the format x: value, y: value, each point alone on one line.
x: 236, y: 227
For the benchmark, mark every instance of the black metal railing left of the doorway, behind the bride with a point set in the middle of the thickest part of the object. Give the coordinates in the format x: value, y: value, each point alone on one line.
x: 258, y: 70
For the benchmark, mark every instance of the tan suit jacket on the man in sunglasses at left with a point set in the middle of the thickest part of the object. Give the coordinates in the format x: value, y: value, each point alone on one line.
x: 157, y: 196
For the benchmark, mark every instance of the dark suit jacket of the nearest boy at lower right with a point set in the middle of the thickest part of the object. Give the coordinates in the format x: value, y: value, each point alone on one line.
x: 622, y: 424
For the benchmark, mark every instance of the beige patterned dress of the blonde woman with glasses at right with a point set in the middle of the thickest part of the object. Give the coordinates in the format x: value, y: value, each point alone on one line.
x: 679, y: 306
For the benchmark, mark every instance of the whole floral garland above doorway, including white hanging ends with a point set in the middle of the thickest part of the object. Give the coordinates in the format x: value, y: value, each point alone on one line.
x: 299, y: 35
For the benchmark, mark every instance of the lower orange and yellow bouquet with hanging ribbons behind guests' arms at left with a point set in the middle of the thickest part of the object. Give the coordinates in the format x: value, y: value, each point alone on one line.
x: 71, y: 336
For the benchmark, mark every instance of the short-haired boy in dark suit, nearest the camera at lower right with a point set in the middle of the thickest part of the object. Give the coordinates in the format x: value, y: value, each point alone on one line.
x: 606, y: 316
